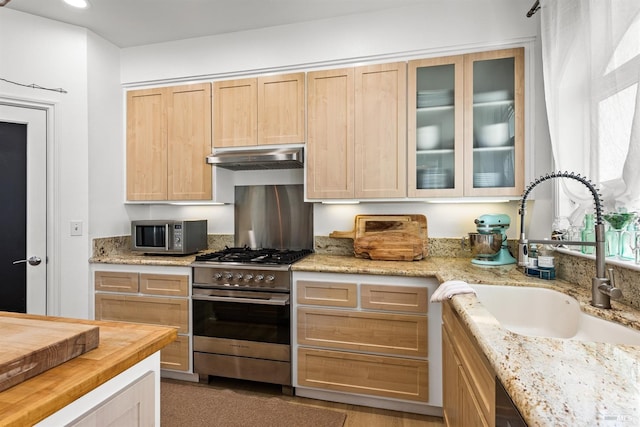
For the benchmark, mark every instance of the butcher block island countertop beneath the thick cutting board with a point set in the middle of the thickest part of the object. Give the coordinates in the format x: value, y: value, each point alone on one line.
x: 121, y: 346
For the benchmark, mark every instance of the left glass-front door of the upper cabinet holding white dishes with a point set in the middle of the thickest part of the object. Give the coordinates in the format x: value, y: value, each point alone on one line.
x: 435, y: 127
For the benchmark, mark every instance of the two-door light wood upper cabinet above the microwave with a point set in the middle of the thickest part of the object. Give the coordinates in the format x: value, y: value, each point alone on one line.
x: 168, y: 139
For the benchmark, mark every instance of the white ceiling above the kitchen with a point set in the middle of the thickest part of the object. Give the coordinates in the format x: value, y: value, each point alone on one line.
x: 128, y: 23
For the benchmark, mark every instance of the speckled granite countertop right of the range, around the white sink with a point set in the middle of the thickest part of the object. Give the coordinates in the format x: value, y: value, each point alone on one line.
x: 552, y: 381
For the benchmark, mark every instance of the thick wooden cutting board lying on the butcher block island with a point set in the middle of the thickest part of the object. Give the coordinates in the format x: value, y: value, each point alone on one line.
x: 29, y: 347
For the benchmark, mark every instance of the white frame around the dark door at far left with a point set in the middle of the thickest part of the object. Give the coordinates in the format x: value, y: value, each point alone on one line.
x: 53, y: 293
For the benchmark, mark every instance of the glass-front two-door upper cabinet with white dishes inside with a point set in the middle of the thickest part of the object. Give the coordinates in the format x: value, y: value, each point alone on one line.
x: 466, y: 125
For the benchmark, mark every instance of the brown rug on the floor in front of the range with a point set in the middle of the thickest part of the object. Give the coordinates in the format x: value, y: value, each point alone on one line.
x: 185, y: 405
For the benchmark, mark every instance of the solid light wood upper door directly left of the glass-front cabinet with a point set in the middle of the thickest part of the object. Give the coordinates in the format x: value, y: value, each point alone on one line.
x: 380, y: 131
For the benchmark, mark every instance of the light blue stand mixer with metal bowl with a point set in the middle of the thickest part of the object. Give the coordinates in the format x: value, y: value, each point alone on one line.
x: 489, y: 244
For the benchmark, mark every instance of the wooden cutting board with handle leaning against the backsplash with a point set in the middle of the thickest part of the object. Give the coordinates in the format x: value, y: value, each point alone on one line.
x: 388, y: 237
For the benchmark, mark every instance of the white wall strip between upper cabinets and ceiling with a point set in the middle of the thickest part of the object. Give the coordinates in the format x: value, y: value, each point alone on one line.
x: 436, y: 25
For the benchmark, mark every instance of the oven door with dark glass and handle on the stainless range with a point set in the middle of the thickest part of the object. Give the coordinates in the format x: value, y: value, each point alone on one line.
x: 260, y: 317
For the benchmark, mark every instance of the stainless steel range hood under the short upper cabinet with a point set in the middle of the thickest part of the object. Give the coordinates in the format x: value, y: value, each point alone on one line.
x: 258, y: 159
